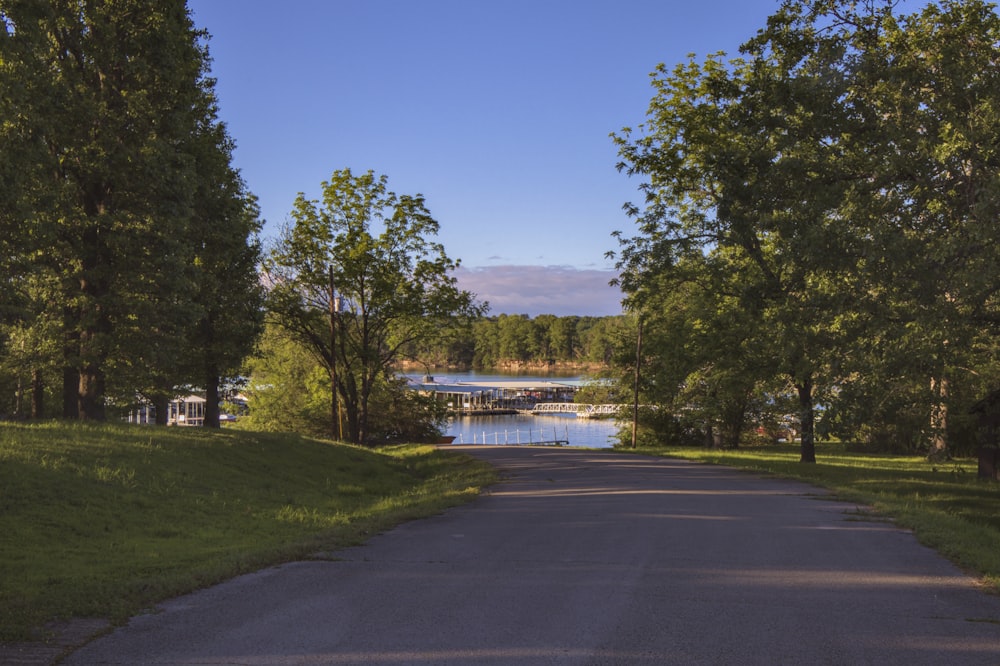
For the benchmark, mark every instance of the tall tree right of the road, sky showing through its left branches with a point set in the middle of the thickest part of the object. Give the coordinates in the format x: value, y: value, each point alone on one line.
x: 745, y: 174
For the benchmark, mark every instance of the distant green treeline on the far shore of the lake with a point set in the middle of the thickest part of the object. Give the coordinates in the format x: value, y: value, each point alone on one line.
x: 521, y: 341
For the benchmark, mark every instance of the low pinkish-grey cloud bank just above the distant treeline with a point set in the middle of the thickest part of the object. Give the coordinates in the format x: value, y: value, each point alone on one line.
x: 533, y: 290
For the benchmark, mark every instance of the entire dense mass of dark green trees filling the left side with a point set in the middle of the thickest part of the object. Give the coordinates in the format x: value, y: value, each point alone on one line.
x: 128, y: 239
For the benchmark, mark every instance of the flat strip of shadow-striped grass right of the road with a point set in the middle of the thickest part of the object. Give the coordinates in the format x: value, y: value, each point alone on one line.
x: 946, y: 505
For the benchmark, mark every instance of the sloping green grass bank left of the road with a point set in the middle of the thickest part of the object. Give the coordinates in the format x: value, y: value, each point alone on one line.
x: 106, y: 520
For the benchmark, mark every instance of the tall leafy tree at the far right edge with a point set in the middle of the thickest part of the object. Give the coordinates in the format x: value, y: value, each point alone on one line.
x: 931, y: 87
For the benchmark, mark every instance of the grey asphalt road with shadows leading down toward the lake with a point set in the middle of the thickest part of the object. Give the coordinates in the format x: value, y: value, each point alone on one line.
x: 594, y: 558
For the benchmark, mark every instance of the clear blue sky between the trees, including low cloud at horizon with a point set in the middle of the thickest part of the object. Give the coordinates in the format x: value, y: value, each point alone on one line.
x: 499, y: 113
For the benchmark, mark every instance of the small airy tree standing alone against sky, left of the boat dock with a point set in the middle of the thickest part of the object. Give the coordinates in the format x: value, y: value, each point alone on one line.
x: 393, y: 281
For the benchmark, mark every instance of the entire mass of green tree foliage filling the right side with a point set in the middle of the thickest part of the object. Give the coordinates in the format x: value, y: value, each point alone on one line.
x: 820, y: 224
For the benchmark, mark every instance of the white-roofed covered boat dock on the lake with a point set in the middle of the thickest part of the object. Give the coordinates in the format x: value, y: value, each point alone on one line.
x: 496, y: 397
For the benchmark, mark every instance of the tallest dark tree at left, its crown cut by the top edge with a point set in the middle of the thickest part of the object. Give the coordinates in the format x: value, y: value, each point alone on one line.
x: 101, y: 102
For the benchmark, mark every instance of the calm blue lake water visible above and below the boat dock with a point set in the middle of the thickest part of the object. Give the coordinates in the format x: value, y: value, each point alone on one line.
x: 521, y: 428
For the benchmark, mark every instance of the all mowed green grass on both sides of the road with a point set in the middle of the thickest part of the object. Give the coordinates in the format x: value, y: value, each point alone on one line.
x: 103, y: 521
